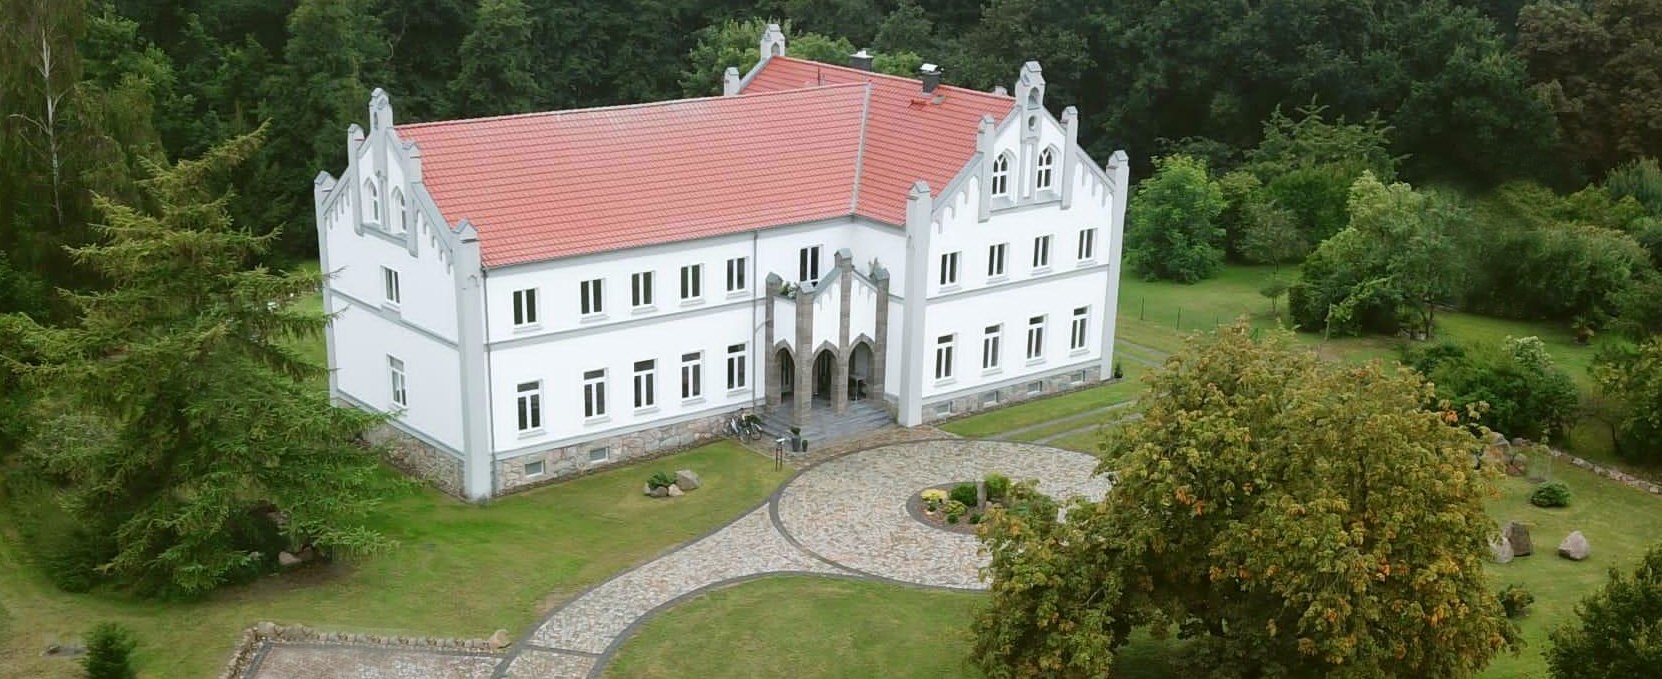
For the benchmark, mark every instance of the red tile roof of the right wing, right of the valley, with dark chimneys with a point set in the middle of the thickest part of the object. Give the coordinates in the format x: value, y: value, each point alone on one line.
x: 910, y: 135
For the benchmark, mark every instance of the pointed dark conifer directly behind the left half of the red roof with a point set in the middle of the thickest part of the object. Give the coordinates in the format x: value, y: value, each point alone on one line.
x: 496, y: 64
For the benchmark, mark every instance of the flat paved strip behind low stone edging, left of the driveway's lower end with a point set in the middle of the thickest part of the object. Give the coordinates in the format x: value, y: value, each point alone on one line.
x: 307, y: 662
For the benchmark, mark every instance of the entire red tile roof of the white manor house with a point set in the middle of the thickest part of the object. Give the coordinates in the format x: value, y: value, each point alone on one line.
x: 790, y: 150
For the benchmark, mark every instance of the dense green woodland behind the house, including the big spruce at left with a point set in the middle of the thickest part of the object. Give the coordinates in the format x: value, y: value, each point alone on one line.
x: 157, y: 162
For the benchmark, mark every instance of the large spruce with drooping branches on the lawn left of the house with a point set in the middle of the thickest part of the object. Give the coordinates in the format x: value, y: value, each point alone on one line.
x: 187, y: 361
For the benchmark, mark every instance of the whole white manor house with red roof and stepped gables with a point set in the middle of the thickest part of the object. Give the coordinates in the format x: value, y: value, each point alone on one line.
x: 543, y: 295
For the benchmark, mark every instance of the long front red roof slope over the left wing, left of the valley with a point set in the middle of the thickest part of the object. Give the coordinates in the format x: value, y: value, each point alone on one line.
x: 554, y: 185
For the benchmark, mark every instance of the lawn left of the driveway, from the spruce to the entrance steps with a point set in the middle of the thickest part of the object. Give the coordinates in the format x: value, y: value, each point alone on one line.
x: 460, y: 570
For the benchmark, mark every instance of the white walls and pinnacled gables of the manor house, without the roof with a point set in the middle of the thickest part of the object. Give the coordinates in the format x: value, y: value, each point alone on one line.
x: 498, y: 368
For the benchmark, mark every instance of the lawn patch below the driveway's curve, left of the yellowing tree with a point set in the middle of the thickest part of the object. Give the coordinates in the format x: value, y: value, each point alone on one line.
x: 807, y: 628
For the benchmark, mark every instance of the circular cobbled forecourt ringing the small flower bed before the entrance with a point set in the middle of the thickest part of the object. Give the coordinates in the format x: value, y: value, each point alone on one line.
x: 852, y: 510
